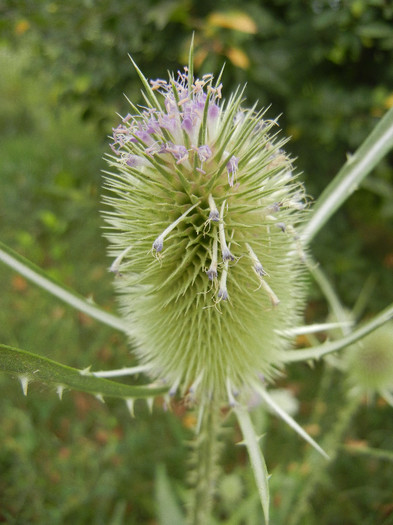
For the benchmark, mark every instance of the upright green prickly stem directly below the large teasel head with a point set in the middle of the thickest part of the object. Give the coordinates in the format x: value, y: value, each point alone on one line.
x: 204, y: 468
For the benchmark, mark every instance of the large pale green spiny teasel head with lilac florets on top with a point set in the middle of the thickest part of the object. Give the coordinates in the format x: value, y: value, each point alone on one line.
x: 203, y: 209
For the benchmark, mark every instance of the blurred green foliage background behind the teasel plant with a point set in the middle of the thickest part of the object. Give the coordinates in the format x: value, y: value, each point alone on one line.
x: 327, y: 68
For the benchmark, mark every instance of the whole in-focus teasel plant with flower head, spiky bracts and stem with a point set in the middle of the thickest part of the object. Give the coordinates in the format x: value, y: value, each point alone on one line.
x: 208, y: 233
